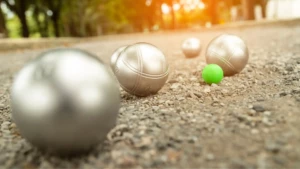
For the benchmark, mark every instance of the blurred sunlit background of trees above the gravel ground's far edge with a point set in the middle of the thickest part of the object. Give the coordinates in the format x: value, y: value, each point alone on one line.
x: 86, y: 18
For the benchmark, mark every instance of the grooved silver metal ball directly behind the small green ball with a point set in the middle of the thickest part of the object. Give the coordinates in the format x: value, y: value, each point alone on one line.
x: 229, y: 52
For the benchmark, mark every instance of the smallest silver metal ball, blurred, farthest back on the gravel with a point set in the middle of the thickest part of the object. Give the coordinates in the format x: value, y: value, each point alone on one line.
x: 191, y: 47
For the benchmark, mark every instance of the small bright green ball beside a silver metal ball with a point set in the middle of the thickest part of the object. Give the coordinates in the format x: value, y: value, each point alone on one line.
x: 212, y: 73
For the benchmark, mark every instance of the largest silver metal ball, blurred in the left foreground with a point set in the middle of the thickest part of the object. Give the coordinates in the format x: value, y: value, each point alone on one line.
x: 65, y: 101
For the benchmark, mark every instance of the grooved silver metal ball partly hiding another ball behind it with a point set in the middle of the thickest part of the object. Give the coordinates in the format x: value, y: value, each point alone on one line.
x: 142, y: 69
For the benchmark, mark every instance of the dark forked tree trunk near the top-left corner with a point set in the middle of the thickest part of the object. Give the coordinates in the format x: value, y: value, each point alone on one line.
x: 19, y: 7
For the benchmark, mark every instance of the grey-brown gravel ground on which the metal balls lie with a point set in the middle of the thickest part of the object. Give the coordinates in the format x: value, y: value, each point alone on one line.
x: 250, y: 120
